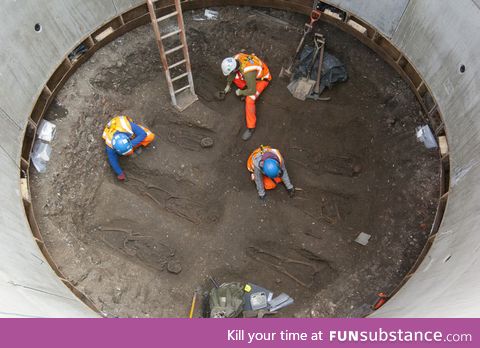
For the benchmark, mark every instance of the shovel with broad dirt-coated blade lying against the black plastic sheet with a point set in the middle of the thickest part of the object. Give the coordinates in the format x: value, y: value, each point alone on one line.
x: 302, y: 87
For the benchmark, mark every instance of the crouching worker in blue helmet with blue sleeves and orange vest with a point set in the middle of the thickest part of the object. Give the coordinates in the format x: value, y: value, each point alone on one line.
x: 122, y: 137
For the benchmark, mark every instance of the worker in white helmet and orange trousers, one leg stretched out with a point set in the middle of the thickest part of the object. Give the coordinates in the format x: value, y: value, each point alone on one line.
x: 251, y: 76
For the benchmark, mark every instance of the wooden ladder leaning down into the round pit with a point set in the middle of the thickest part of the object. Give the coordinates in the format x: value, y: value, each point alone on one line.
x: 182, y: 97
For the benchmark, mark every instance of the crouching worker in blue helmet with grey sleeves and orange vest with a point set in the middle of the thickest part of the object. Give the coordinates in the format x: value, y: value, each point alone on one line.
x: 268, y: 169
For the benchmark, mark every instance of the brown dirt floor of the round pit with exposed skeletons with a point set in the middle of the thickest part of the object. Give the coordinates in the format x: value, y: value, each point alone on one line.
x: 198, y: 207
